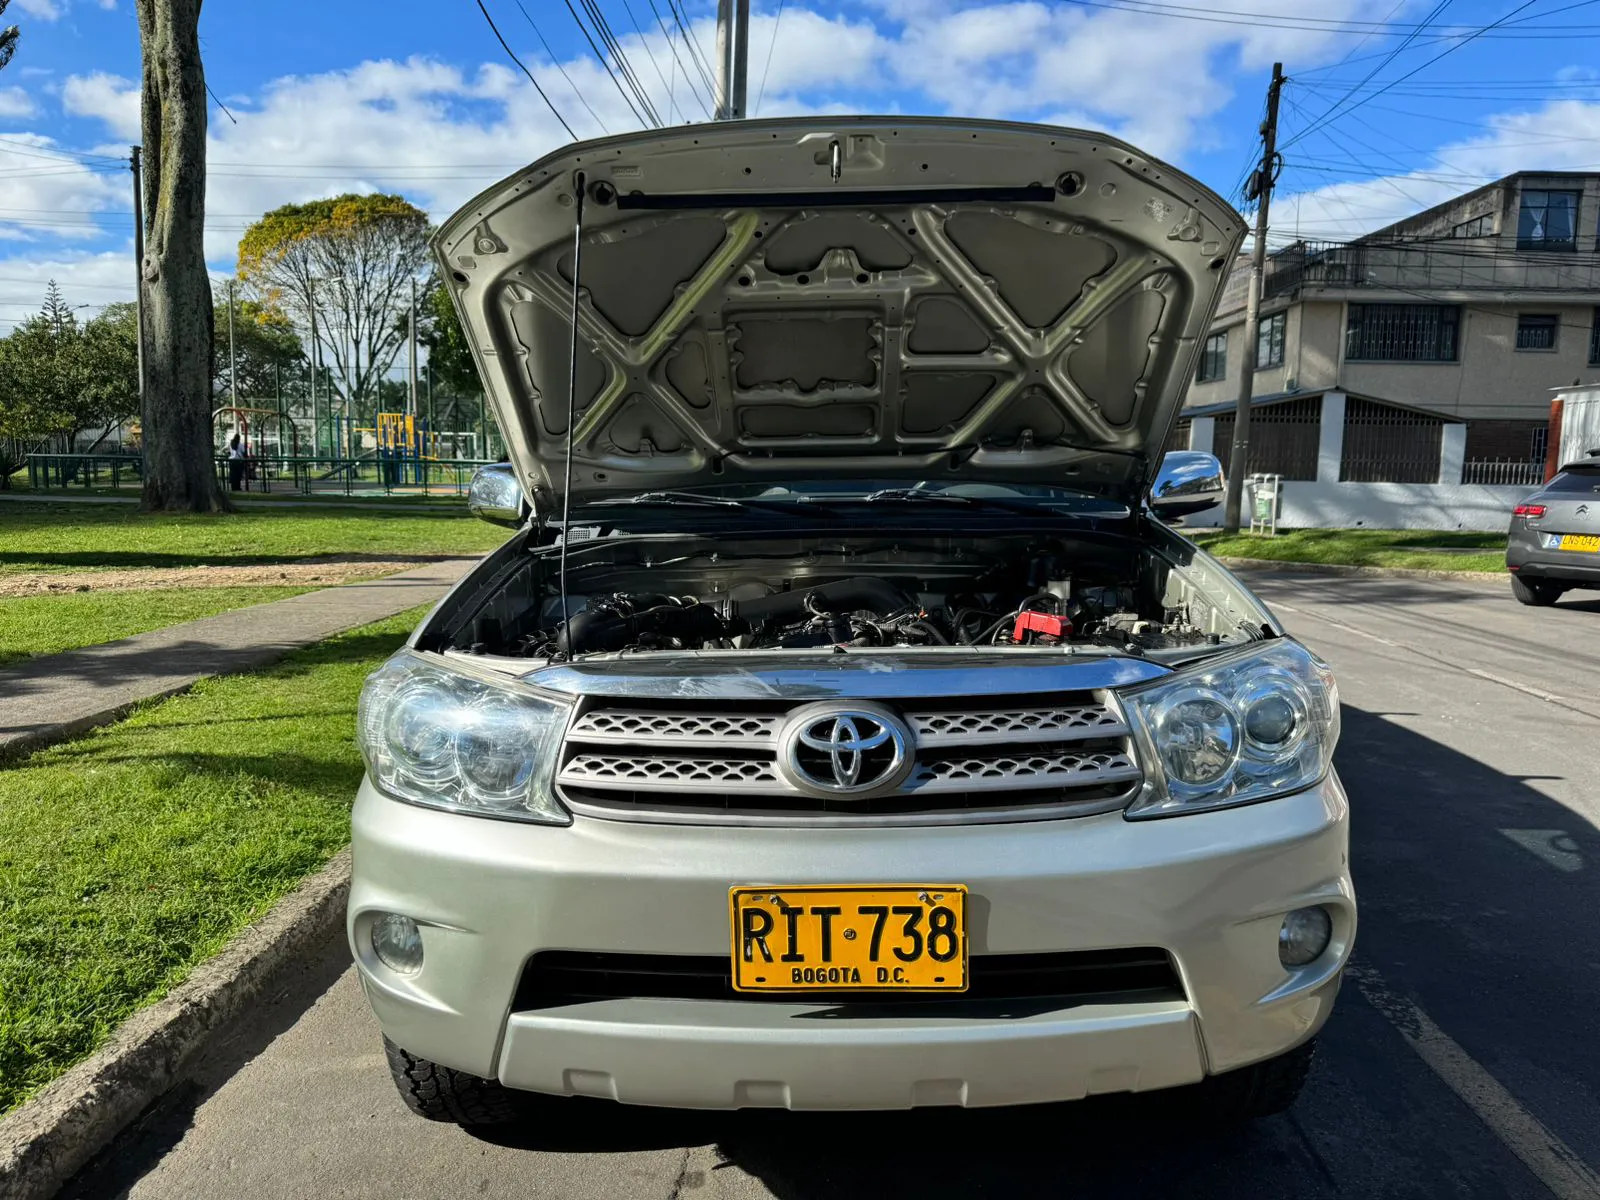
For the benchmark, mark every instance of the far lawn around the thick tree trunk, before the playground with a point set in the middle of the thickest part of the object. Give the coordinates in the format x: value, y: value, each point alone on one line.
x: 78, y: 537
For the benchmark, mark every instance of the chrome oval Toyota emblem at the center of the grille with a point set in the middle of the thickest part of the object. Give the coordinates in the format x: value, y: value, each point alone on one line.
x: 834, y: 751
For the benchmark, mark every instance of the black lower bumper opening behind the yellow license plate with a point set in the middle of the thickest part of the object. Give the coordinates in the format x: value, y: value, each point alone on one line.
x: 556, y: 978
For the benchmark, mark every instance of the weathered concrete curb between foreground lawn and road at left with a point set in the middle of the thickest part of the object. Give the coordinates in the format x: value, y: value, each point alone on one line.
x: 50, y: 1138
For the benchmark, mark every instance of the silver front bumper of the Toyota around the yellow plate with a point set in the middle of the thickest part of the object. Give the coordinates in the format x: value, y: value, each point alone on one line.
x: 1210, y: 889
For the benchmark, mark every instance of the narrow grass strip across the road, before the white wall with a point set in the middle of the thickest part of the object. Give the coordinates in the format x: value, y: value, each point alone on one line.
x: 1367, y: 548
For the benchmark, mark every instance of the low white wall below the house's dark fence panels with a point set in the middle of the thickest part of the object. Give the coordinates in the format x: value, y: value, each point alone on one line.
x: 1390, y: 506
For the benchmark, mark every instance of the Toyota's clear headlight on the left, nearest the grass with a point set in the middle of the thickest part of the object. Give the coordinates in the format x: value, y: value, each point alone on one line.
x: 447, y: 740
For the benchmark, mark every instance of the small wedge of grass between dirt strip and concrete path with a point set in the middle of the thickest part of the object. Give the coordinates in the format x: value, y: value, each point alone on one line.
x: 49, y: 625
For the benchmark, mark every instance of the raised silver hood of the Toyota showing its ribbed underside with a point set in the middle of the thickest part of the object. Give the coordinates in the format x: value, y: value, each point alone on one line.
x: 818, y: 298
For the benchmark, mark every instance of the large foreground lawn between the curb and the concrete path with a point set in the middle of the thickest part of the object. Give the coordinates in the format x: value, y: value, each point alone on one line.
x: 132, y: 855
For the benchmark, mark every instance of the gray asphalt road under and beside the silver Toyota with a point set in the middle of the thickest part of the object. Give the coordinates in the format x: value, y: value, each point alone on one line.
x: 1463, y: 1062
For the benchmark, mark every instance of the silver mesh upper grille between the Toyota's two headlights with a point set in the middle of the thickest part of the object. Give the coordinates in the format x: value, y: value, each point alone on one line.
x: 972, y: 759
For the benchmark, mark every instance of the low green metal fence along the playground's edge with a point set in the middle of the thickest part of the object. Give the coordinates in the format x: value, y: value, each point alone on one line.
x: 271, y: 474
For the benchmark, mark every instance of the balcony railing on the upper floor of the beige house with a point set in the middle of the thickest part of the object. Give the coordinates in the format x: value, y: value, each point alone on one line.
x: 1447, y: 265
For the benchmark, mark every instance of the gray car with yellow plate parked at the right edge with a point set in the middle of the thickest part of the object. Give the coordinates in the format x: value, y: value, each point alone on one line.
x: 1556, y: 537
